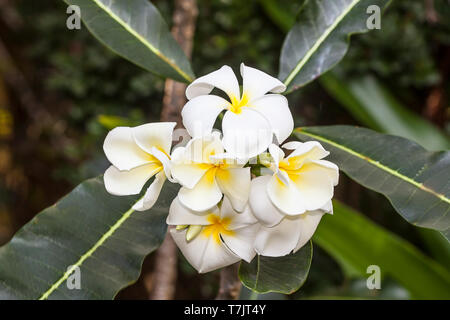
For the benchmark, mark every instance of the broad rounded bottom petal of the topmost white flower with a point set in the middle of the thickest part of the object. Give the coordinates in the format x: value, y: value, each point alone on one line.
x: 247, y: 134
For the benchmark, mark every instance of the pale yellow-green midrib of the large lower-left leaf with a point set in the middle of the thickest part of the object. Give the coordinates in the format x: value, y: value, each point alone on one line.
x: 88, y: 253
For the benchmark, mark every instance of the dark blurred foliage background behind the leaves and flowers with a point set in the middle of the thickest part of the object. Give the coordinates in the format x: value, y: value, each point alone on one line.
x: 61, y: 91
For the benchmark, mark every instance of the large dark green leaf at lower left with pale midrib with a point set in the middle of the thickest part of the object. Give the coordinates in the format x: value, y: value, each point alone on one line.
x: 89, y: 229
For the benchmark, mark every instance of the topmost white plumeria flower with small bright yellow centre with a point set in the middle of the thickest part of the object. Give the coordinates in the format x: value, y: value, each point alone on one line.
x: 251, y: 119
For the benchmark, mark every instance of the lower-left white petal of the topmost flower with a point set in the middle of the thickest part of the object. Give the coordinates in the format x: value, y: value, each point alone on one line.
x: 200, y: 113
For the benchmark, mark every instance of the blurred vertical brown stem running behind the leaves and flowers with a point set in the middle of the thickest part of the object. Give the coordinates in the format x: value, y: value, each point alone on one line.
x: 165, y: 271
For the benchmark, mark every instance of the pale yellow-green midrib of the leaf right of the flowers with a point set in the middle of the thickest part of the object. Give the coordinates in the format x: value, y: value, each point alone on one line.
x: 378, y: 165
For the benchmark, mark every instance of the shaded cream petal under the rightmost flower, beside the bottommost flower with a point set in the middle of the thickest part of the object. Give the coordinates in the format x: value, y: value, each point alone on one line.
x: 279, y: 240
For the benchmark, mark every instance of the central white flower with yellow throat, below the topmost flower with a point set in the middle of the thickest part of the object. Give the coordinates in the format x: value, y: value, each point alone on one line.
x: 205, y: 172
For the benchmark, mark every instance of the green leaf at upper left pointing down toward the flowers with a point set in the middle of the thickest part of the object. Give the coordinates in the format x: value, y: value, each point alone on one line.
x: 135, y: 30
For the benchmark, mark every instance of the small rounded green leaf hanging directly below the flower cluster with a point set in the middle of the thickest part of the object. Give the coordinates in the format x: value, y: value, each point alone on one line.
x: 277, y: 274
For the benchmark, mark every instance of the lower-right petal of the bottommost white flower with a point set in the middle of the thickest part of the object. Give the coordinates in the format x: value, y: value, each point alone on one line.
x: 241, y: 241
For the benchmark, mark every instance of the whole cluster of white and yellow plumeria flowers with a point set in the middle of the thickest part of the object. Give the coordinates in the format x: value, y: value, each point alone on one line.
x: 223, y: 213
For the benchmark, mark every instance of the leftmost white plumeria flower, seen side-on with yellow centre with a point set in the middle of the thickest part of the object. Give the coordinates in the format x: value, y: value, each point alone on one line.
x: 137, y: 154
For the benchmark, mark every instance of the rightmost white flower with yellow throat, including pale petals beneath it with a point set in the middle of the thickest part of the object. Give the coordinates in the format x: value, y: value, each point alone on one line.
x: 290, y: 203
